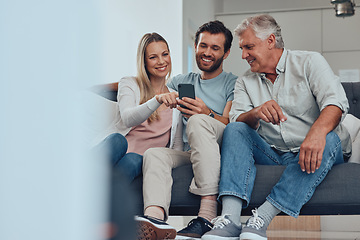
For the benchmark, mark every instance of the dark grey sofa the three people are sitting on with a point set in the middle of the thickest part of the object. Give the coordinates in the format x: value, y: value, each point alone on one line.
x: 339, y: 193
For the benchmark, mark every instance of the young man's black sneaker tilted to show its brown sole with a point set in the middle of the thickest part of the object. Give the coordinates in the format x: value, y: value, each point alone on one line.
x: 149, y: 228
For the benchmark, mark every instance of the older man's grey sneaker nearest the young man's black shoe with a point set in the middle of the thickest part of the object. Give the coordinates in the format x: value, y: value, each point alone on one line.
x: 223, y: 229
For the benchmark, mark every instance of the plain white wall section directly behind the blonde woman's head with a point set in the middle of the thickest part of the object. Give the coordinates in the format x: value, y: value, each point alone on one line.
x: 125, y: 22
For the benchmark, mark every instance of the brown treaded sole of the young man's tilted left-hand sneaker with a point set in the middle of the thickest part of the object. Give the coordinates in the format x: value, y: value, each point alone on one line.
x: 149, y: 231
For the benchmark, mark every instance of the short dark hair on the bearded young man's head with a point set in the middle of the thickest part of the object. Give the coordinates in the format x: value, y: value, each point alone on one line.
x: 215, y: 27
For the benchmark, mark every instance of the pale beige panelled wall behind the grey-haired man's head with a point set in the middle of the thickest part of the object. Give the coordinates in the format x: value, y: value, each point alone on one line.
x: 313, y: 29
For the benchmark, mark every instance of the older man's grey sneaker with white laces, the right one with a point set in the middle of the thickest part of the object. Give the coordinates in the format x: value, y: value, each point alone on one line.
x: 254, y: 229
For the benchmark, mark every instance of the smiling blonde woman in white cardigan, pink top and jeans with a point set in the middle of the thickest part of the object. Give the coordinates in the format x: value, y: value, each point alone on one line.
x: 147, y: 109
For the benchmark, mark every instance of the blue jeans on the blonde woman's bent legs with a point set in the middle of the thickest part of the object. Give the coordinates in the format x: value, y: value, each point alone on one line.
x: 130, y: 164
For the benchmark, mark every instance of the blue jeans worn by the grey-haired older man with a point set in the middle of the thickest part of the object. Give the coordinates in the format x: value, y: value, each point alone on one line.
x: 242, y: 147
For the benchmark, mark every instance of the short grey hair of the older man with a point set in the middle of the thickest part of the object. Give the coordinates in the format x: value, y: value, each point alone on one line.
x: 263, y: 25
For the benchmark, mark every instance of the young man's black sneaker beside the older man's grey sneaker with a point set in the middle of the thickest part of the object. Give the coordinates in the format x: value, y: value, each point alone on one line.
x: 195, y: 229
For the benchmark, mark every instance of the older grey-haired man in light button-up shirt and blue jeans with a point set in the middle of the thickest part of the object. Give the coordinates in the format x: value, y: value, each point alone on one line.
x: 286, y: 111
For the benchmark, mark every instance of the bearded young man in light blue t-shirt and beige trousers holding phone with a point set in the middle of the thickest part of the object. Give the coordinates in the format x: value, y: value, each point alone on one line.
x: 204, y: 123
